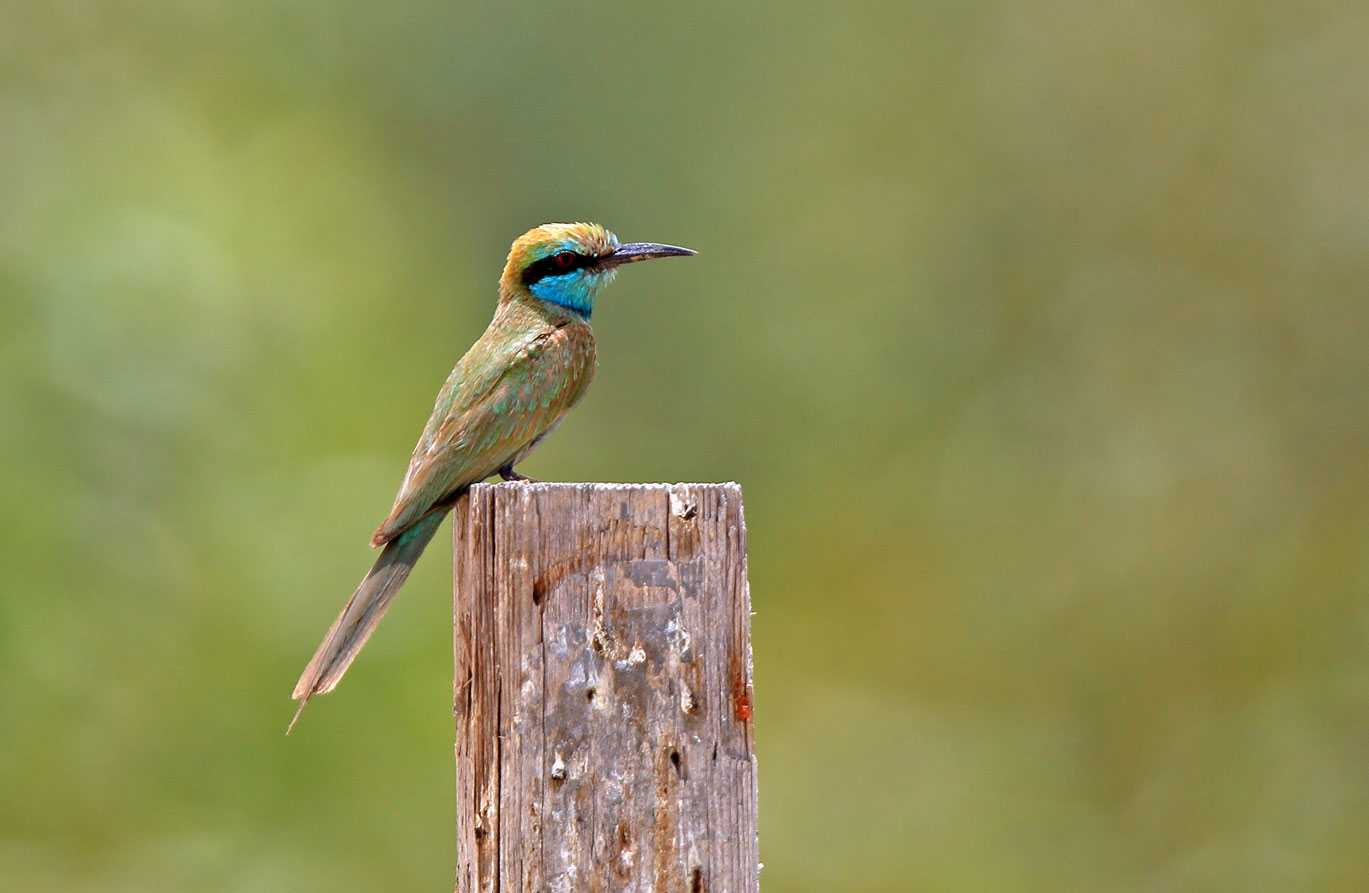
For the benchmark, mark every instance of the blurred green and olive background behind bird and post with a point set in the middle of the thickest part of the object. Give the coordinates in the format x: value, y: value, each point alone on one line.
x: 1034, y: 332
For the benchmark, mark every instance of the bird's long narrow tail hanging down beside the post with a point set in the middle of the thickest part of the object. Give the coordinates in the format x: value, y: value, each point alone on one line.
x: 366, y: 609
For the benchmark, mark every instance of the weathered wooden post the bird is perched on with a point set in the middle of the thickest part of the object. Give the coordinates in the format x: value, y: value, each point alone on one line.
x: 604, y: 732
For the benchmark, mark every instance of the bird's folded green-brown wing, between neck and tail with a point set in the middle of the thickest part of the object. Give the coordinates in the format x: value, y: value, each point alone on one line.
x: 496, y: 402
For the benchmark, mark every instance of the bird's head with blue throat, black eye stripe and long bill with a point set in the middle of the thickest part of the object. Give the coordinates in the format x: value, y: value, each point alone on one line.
x: 567, y: 264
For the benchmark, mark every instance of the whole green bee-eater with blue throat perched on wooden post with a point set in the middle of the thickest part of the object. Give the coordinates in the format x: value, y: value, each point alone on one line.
x: 504, y: 397
